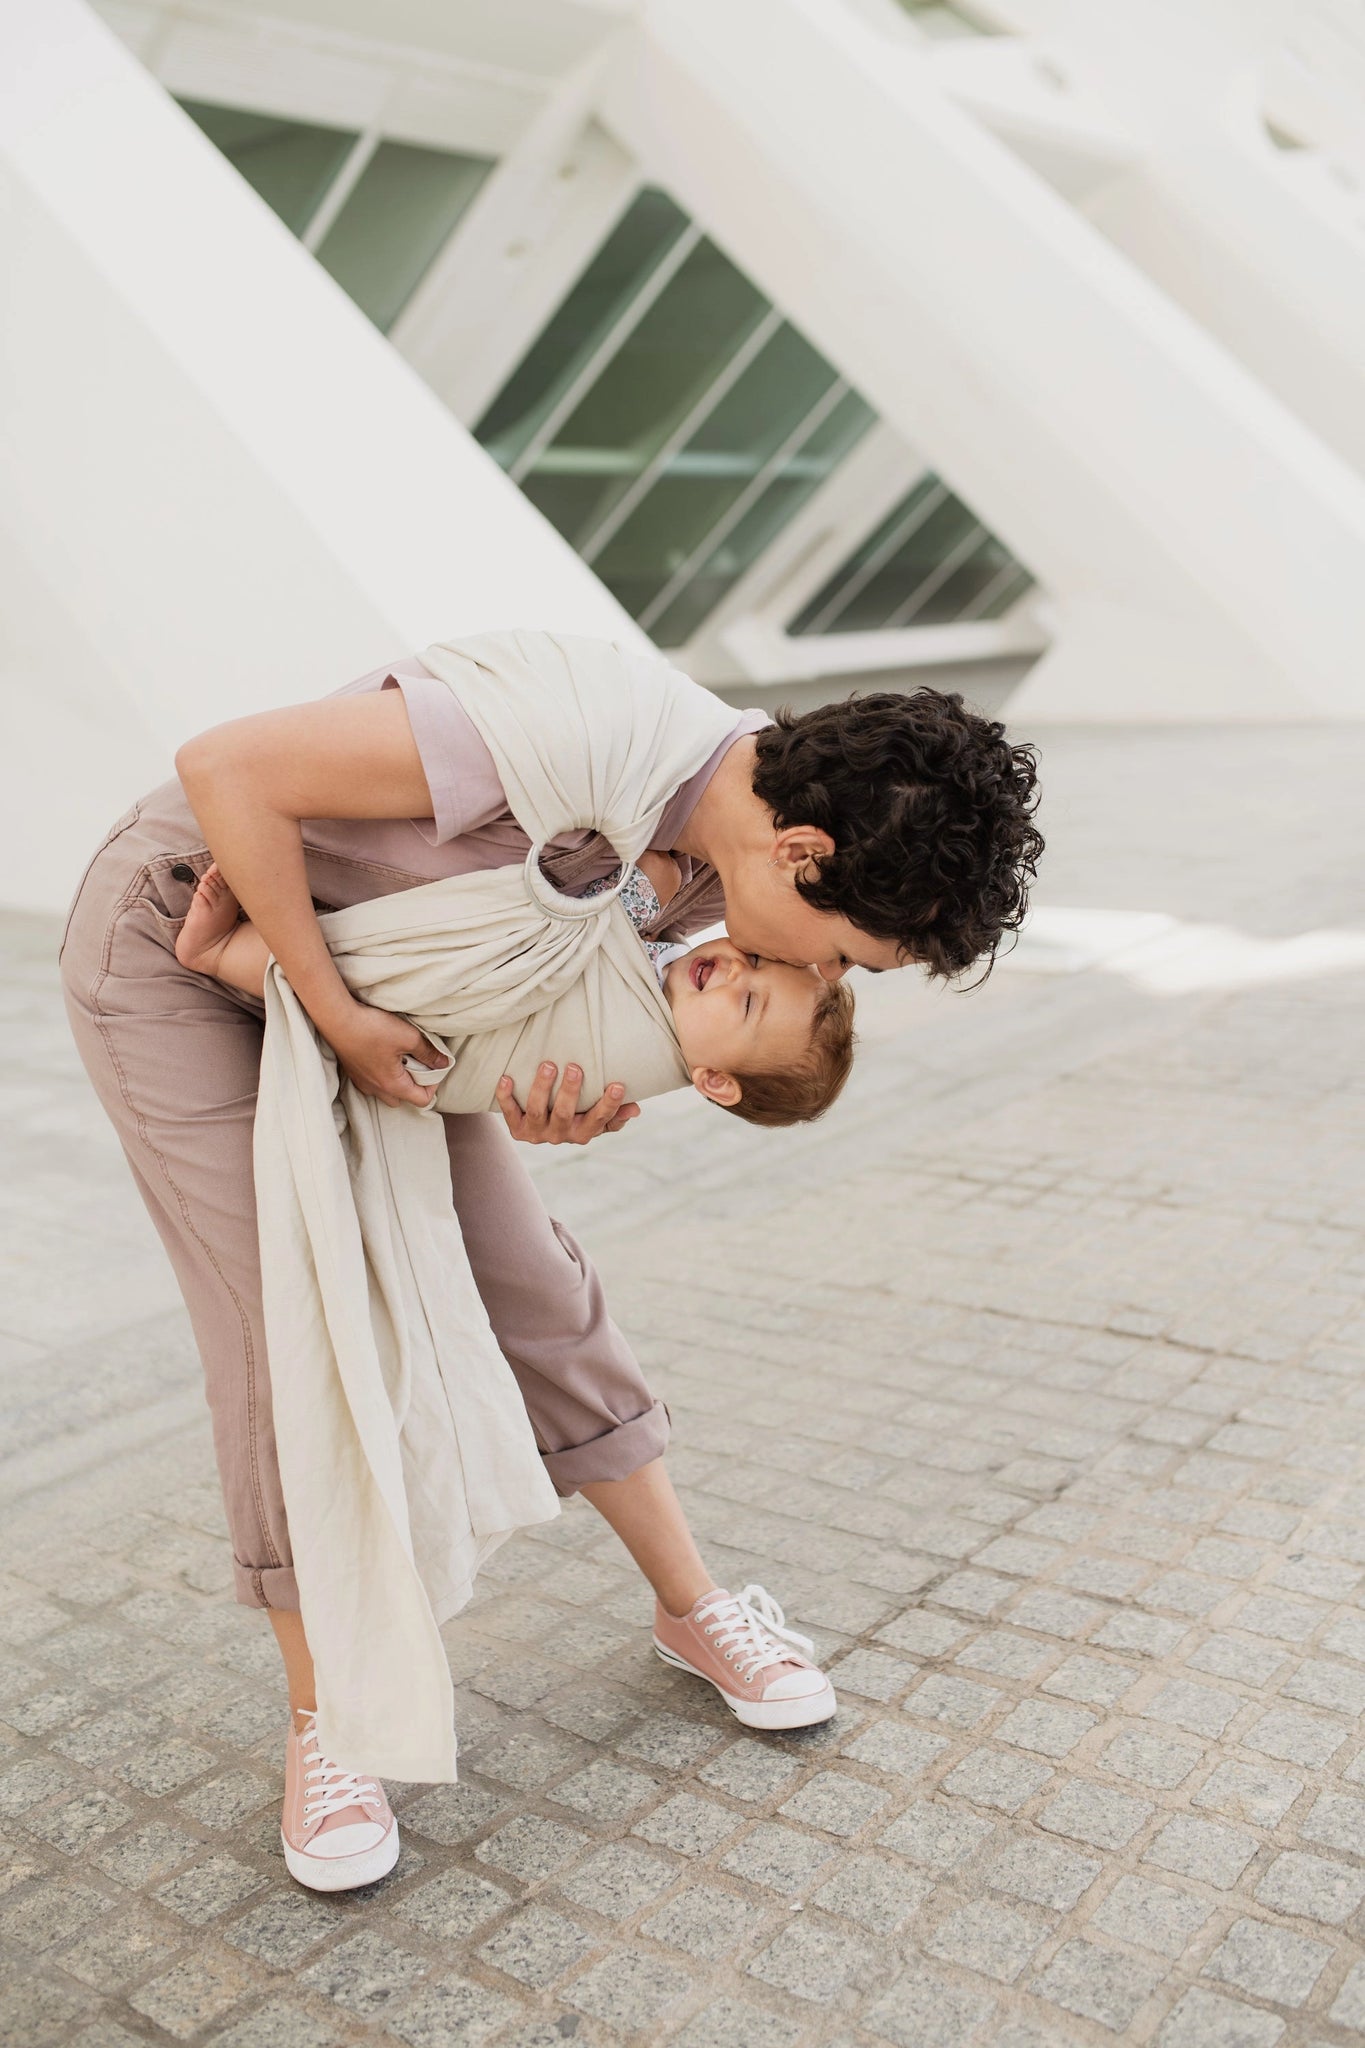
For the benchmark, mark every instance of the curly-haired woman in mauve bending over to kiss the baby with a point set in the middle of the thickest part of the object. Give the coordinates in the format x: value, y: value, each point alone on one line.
x: 873, y: 835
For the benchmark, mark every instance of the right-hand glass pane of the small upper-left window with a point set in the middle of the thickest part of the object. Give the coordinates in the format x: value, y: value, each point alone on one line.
x: 396, y: 222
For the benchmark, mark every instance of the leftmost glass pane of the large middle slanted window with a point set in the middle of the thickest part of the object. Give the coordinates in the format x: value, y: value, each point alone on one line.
x: 607, y: 288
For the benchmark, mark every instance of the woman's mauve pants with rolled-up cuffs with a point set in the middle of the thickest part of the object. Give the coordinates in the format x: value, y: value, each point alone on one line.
x: 175, y: 1058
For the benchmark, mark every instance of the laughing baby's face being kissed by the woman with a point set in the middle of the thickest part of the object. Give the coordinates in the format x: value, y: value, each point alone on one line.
x: 740, y: 1015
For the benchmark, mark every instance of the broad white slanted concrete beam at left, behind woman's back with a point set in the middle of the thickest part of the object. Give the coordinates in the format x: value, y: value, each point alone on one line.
x: 230, y: 488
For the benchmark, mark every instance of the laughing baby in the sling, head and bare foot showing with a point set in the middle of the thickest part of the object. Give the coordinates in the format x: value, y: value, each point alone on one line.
x: 766, y: 1041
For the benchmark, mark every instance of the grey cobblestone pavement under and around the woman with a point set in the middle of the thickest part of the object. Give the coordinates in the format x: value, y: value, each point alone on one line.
x: 1034, y: 1388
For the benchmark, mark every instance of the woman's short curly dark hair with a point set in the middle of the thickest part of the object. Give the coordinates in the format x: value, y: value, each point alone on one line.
x: 930, y: 810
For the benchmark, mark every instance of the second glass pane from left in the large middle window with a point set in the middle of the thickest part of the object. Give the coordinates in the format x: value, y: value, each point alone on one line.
x: 658, y: 376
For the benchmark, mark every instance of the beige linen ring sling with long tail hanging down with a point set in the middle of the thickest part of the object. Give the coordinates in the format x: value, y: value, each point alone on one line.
x: 404, y: 1445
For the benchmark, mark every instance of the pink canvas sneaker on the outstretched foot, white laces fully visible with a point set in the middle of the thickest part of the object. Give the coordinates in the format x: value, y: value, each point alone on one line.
x: 744, y: 1648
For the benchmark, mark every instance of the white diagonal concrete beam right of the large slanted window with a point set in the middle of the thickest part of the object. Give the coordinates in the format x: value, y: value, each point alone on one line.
x: 1125, y: 456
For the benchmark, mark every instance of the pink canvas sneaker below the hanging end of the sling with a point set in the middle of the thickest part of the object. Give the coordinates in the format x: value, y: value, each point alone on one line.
x: 339, y: 1830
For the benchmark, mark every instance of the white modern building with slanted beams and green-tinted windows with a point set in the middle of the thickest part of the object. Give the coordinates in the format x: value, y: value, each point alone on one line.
x: 1010, y: 343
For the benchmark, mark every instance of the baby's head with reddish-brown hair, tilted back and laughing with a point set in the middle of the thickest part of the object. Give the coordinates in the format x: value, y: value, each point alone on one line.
x: 766, y: 1041
